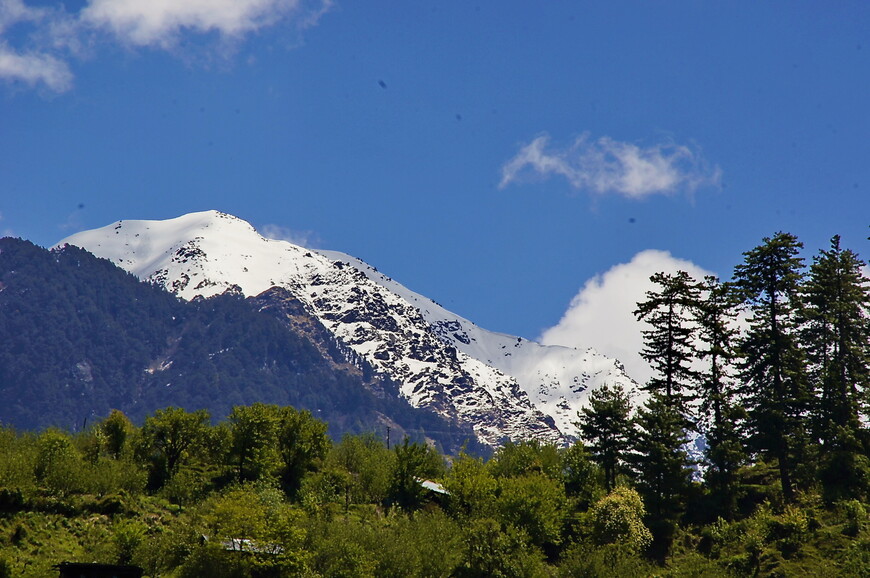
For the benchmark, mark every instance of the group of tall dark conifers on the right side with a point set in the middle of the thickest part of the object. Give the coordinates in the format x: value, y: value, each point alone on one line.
x: 769, y: 373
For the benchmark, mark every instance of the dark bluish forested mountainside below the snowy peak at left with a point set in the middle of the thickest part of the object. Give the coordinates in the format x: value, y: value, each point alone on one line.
x: 81, y: 337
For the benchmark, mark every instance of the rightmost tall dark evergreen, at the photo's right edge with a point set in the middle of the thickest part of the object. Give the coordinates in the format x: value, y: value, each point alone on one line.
x: 836, y: 335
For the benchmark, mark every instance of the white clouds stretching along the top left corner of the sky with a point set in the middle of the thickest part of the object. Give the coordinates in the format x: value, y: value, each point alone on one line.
x: 36, y: 44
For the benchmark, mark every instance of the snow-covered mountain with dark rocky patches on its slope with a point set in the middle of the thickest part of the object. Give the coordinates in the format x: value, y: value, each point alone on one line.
x: 504, y: 386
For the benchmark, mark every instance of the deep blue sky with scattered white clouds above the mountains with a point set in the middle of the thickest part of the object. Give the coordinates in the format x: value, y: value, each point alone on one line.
x: 498, y: 157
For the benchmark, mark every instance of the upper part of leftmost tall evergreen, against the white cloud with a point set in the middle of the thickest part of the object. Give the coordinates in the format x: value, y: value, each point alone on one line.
x: 668, y: 343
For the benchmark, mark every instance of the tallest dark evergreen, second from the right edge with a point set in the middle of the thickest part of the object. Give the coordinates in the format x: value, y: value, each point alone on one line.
x: 774, y: 388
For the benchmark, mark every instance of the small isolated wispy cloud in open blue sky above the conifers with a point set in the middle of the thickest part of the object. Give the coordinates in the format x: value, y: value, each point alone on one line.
x: 607, y: 166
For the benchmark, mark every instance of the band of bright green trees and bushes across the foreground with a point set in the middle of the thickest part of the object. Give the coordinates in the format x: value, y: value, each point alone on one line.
x: 266, y: 493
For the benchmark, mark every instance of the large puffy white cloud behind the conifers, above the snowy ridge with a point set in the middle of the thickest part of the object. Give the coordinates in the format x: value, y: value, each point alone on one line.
x: 600, y: 315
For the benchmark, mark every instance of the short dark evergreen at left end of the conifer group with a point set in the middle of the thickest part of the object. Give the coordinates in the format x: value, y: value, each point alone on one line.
x: 605, y: 427
